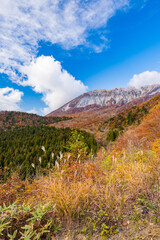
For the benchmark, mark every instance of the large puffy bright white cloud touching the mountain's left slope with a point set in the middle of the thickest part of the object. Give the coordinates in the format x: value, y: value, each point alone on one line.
x: 46, y: 76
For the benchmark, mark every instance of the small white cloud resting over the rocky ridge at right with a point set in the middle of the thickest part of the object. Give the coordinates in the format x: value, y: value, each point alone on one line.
x: 145, y: 78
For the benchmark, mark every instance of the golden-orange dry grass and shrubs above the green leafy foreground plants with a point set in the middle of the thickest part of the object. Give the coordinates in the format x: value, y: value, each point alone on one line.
x: 98, y: 196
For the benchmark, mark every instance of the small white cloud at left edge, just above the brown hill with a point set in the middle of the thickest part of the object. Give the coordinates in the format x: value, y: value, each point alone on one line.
x: 10, y: 99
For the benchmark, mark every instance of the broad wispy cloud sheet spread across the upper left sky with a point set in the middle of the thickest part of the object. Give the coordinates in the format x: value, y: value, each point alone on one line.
x: 24, y: 24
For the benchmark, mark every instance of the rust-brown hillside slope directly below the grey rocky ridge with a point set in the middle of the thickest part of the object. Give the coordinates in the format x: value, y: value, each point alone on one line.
x: 96, y: 122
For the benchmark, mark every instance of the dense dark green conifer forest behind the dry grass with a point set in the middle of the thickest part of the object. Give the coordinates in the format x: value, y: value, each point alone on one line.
x: 29, y: 150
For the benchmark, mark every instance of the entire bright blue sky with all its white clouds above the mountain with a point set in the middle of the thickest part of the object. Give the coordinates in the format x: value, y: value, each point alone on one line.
x: 53, y: 51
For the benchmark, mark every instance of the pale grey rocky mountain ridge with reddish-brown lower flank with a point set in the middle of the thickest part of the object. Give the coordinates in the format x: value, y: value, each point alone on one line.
x: 104, y: 99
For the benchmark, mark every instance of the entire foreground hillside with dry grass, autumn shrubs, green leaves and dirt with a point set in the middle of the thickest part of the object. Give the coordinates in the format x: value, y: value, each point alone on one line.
x: 112, y: 196
